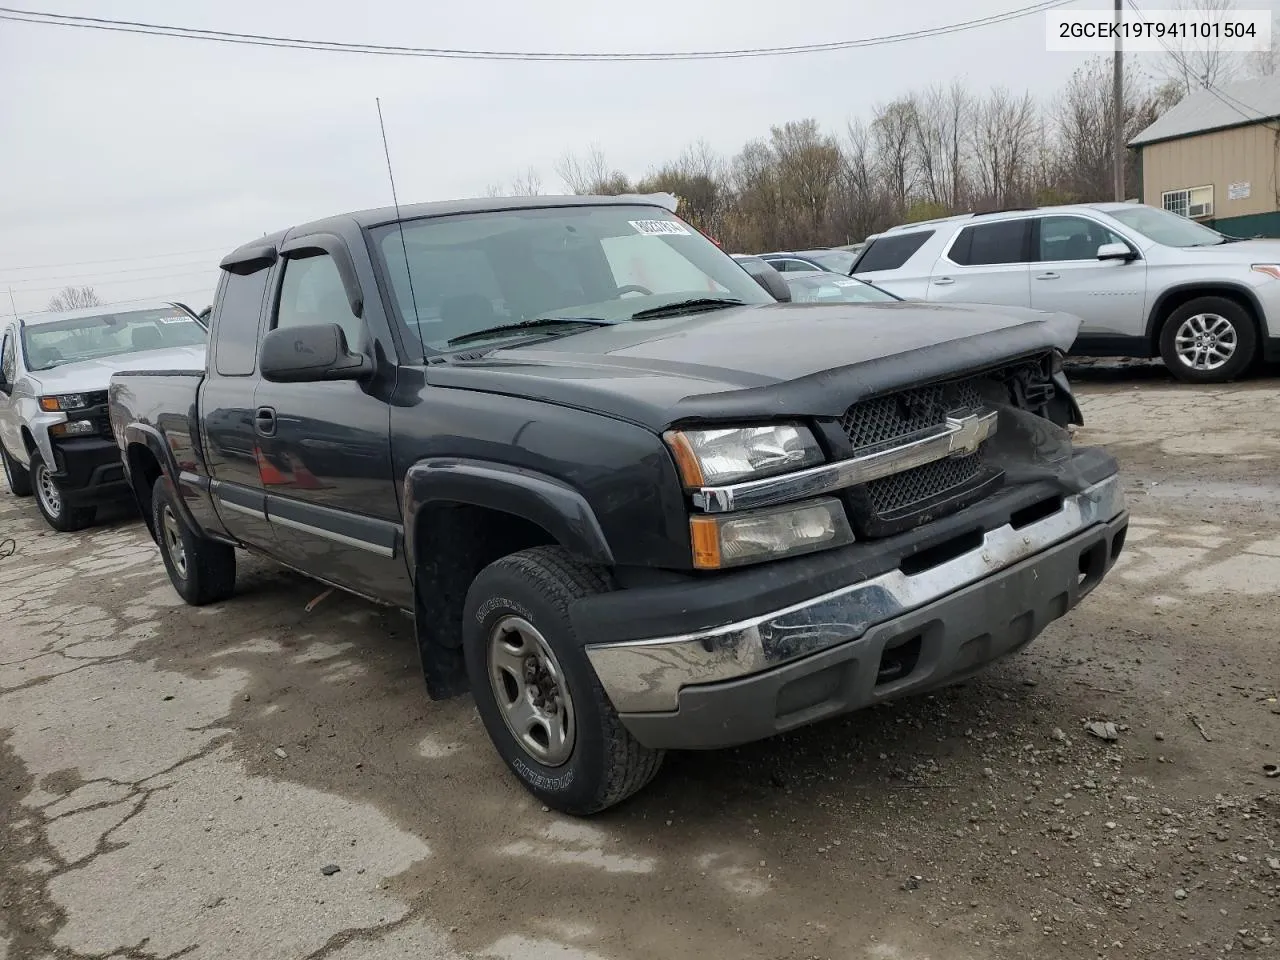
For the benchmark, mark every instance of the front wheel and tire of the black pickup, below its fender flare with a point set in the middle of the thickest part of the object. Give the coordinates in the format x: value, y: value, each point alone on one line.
x: 537, y: 693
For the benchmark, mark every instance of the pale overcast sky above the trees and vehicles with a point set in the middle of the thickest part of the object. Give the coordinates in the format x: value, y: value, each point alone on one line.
x: 162, y: 154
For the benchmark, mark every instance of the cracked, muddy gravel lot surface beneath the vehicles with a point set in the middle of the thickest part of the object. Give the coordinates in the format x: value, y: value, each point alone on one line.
x: 182, y: 783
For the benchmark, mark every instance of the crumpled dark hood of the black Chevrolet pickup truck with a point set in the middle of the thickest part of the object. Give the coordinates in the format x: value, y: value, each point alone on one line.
x: 767, y: 362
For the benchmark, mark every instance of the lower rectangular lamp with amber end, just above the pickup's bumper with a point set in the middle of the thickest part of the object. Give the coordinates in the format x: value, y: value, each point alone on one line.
x: 734, y: 540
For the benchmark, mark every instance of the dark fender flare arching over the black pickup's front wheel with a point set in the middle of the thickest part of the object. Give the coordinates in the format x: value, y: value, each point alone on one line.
x: 551, y: 504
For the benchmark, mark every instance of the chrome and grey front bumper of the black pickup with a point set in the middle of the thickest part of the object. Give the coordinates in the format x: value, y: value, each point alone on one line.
x: 903, y: 630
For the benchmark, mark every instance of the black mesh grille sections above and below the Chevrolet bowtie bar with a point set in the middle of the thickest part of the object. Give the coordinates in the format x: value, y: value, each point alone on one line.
x: 897, y: 502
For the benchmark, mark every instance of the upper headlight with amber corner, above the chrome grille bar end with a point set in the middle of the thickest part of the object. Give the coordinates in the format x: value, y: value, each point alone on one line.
x: 708, y: 458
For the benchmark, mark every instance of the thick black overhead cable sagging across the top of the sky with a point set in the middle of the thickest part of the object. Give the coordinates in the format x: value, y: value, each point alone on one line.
x: 57, y: 20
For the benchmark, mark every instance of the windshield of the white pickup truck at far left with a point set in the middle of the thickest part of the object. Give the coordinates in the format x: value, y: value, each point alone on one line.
x: 56, y: 342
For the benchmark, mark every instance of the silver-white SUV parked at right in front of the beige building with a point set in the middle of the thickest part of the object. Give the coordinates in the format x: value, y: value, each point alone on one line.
x: 1145, y: 282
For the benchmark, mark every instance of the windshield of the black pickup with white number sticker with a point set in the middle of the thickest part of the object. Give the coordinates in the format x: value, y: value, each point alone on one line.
x: 477, y: 272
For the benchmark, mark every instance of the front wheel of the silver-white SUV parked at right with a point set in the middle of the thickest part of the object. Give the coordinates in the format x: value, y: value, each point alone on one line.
x: 1209, y: 340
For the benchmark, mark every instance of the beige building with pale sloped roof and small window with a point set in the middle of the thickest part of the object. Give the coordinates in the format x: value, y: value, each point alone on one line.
x: 1215, y: 158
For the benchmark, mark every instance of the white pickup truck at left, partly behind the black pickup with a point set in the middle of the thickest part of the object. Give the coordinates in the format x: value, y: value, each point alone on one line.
x: 56, y: 440
